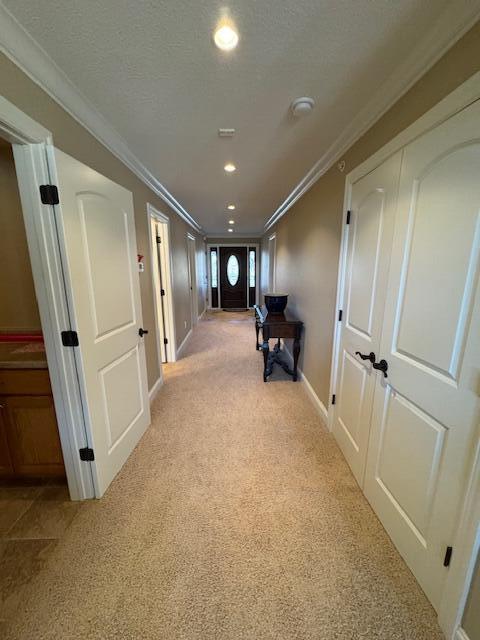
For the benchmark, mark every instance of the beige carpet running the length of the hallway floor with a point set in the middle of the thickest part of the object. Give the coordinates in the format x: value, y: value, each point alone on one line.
x: 235, y: 518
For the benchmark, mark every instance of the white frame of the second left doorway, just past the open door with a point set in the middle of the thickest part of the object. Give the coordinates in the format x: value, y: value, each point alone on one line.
x: 167, y: 268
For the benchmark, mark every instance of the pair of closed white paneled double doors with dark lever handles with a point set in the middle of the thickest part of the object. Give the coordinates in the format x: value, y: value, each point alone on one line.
x: 412, y: 298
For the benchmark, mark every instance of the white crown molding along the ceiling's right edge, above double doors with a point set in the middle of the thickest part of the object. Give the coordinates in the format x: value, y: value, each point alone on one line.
x: 452, y: 24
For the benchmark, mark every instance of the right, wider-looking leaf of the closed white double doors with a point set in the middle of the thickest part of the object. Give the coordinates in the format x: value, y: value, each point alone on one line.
x: 426, y: 412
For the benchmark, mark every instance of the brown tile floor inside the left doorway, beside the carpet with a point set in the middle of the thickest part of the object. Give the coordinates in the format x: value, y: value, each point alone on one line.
x: 33, y: 517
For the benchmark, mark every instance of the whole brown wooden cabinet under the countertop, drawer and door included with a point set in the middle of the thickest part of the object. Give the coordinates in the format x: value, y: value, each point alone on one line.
x: 29, y: 439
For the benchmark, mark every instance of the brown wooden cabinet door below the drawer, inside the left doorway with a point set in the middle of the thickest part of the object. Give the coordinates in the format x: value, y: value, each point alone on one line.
x: 32, y: 434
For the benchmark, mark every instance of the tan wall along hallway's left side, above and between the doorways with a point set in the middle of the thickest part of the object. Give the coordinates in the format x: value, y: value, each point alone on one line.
x: 72, y: 138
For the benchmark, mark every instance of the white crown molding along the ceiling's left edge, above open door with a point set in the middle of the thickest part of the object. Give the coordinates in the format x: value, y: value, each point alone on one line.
x: 18, y: 45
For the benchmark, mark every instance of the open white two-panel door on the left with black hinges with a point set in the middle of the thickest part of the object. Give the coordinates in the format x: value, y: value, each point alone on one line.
x: 99, y: 240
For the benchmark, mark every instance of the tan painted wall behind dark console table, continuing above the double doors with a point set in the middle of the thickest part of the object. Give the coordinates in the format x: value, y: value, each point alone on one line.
x: 308, y: 236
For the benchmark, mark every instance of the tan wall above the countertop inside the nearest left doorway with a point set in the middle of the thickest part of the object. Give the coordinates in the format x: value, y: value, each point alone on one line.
x: 18, y: 307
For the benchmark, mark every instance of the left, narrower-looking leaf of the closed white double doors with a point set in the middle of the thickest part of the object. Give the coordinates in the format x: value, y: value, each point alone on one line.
x: 373, y: 201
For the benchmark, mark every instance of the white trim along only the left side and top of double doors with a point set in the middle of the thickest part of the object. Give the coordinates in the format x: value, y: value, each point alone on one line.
x: 459, y: 99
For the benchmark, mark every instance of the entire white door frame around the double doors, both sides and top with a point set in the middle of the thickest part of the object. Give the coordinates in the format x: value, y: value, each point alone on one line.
x: 467, y: 537
